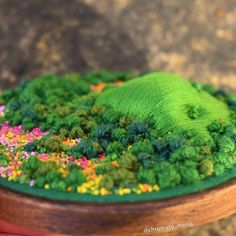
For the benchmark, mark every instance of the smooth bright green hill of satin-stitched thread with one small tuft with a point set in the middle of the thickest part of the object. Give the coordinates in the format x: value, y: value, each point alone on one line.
x: 173, y: 102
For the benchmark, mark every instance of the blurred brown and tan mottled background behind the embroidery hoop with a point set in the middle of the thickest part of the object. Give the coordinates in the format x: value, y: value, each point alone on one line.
x: 196, y: 39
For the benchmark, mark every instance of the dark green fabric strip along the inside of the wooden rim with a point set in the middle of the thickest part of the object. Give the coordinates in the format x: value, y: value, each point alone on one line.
x: 211, y: 182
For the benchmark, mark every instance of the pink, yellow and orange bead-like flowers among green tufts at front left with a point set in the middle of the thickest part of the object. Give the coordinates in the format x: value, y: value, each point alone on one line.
x: 13, y: 139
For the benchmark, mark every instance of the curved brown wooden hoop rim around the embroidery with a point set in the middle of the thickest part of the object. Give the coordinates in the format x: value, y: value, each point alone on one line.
x: 118, y: 218
